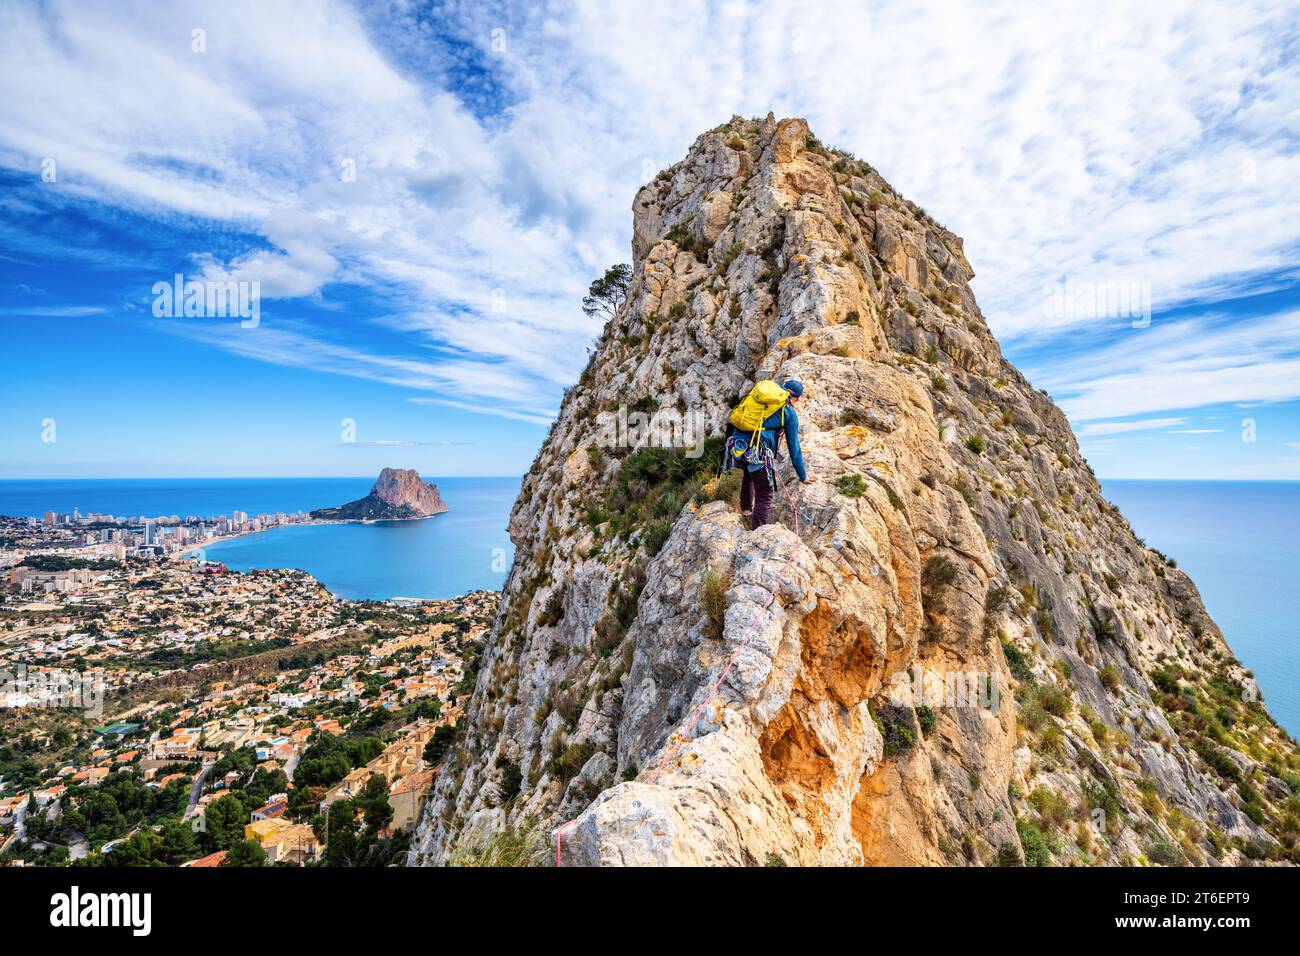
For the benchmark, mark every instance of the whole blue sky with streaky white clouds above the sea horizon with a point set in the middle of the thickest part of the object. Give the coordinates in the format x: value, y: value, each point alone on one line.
x: 423, y: 193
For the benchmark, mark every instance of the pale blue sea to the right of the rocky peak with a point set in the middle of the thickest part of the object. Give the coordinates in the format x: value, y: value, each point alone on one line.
x: 1241, y: 543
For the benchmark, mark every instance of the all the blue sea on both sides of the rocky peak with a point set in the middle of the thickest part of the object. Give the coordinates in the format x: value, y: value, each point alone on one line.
x: 1238, y: 540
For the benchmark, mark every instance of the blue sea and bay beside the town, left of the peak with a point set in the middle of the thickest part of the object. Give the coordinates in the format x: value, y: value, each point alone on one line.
x: 465, y: 550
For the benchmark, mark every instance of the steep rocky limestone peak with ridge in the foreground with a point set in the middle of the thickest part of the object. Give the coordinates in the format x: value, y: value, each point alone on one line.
x: 950, y: 651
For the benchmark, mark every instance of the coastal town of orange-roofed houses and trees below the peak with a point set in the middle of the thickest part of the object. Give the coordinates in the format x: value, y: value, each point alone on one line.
x: 159, y: 710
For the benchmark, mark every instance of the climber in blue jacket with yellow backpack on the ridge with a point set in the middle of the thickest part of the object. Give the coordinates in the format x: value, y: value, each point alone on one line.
x: 759, y: 477
